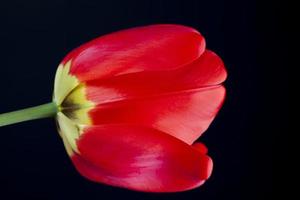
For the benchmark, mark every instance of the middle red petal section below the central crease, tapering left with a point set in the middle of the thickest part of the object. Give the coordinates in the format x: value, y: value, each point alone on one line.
x: 185, y: 115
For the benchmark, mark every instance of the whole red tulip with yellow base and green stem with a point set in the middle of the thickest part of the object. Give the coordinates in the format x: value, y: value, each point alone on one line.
x: 131, y: 105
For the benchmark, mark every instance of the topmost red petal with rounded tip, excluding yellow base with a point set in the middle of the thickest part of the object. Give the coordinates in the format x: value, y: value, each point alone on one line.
x: 149, y: 48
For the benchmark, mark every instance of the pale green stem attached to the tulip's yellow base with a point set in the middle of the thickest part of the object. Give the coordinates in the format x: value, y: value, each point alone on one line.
x: 37, y: 112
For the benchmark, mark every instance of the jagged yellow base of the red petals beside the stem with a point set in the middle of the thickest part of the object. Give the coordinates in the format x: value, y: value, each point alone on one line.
x: 70, y: 97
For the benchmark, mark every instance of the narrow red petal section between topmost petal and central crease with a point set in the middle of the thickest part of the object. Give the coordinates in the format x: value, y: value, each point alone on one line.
x: 208, y: 70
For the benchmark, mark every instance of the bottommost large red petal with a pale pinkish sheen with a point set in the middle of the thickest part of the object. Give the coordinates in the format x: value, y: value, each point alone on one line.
x: 141, y: 159
